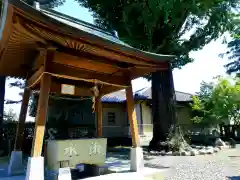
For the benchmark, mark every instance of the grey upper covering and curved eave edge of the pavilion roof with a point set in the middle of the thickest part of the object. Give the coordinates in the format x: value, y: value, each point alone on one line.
x: 79, y: 29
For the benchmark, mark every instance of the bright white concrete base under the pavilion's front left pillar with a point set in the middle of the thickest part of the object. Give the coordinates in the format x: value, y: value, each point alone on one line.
x: 35, y: 168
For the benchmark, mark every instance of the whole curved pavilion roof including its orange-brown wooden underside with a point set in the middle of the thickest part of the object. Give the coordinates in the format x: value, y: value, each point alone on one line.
x: 81, y: 49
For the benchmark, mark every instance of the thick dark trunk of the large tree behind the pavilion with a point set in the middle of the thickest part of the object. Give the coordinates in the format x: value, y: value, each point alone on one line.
x: 163, y: 106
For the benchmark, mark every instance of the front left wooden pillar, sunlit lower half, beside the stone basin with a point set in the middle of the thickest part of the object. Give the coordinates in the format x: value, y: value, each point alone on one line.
x: 41, y: 115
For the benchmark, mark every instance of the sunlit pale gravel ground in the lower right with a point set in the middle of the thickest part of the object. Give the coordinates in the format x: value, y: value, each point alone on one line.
x: 225, y: 165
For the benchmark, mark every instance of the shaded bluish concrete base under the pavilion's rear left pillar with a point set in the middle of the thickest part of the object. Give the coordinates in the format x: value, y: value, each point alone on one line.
x: 15, y: 166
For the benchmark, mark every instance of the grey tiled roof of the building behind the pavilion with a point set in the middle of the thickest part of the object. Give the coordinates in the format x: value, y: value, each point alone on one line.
x: 145, y: 93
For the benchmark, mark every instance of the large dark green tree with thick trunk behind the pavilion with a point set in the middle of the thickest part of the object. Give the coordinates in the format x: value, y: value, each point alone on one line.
x: 161, y: 26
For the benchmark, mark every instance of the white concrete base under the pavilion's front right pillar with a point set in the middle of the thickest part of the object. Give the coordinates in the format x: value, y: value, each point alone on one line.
x: 137, y: 162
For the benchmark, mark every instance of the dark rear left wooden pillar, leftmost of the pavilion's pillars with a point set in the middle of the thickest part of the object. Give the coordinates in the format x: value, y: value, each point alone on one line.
x: 21, y: 122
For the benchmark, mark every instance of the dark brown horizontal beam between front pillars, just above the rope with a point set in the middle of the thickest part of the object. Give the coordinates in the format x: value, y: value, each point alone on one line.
x: 75, y: 73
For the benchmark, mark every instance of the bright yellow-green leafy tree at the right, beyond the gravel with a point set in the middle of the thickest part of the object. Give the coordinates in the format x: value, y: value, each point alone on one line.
x: 217, y: 102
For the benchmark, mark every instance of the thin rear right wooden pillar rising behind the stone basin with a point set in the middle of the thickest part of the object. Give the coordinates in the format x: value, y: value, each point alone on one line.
x: 99, y: 115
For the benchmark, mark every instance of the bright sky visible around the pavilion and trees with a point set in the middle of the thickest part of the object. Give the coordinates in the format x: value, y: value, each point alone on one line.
x: 206, y: 63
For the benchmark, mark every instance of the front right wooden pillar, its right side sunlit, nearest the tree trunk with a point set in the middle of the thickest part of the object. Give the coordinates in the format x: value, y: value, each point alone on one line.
x: 132, y: 117
